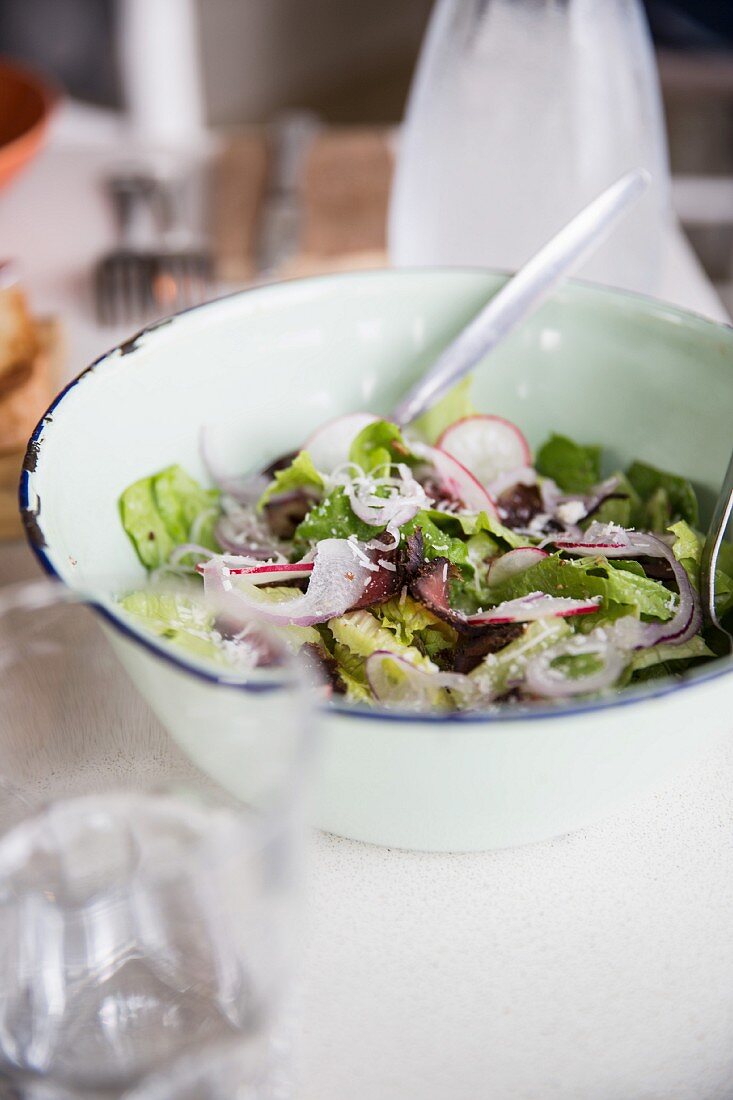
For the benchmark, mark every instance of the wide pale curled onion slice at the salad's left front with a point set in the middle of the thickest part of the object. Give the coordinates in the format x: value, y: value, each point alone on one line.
x: 337, y: 582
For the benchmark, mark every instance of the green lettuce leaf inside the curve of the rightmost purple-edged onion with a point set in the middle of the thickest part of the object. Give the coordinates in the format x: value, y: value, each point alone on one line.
x: 592, y: 577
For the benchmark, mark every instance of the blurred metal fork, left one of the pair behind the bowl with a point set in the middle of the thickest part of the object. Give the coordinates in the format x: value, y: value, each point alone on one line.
x: 124, y: 279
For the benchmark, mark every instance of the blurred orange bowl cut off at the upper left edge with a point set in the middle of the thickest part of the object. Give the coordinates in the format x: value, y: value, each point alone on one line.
x: 26, y: 108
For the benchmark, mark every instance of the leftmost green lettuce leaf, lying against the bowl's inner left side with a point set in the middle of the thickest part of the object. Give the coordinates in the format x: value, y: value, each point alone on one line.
x: 160, y: 513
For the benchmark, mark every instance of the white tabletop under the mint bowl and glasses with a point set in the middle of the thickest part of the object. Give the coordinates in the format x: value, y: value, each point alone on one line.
x: 597, y: 966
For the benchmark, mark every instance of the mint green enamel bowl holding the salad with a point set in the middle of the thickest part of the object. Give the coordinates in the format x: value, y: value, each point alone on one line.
x: 267, y: 367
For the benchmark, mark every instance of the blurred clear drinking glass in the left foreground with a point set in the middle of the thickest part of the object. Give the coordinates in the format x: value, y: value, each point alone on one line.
x: 148, y: 916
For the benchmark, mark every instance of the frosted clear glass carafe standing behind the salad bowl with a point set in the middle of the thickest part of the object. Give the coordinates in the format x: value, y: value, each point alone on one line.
x: 520, y: 114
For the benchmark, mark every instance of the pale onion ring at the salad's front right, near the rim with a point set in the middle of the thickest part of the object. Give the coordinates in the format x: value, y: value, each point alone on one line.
x: 544, y: 678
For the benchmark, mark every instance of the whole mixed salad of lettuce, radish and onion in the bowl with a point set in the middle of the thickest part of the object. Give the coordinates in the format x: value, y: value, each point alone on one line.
x: 441, y: 568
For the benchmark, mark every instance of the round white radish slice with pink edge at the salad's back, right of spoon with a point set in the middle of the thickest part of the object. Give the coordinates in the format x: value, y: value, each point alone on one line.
x: 488, y: 446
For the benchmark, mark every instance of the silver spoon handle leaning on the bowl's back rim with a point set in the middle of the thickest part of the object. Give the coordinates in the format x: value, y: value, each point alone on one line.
x: 524, y: 293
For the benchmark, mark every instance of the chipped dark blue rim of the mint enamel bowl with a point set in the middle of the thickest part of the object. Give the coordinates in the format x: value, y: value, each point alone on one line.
x: 35, y: 536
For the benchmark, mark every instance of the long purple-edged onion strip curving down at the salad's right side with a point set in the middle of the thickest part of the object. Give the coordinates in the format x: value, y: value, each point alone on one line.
x: 614, y: 542
